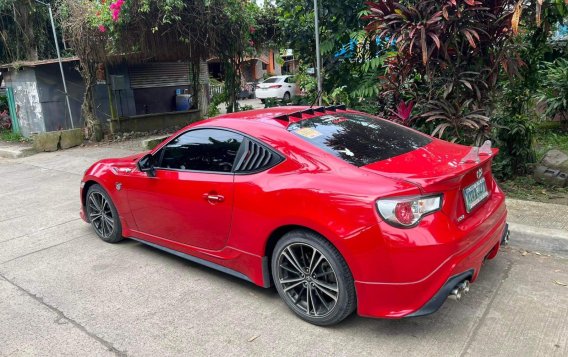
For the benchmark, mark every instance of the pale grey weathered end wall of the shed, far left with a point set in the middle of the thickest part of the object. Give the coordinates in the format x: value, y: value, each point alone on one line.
x: 26, y: 97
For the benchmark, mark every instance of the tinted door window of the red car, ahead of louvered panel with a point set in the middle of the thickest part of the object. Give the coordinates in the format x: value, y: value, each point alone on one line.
x: 211, y: 150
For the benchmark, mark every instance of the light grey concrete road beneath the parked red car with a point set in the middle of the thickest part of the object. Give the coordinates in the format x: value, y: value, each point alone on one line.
x: 65, y: 292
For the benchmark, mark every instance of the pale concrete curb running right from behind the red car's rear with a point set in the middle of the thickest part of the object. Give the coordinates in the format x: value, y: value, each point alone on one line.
x: 539, y: 239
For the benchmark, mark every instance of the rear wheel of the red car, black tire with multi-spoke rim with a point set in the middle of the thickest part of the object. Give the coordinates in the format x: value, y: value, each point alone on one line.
x: 312, y: 278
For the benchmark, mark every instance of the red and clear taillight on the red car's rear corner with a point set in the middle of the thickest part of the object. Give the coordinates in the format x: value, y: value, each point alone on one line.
x: 407, y: 212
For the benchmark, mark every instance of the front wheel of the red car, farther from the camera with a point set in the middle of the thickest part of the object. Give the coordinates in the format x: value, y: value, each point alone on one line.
x: 103, y: 215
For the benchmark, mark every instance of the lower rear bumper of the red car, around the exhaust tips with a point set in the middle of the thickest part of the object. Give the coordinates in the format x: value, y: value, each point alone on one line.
x: 425, y: 296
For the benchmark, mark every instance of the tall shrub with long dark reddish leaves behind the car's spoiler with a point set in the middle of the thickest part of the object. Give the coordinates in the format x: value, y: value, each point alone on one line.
x: 449, y: 54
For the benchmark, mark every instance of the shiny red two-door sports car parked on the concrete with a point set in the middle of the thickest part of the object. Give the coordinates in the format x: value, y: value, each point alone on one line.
x: 339, y: 210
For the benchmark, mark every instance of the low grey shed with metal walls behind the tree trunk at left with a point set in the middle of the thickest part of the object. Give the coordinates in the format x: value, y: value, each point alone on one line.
x: 127, y: 96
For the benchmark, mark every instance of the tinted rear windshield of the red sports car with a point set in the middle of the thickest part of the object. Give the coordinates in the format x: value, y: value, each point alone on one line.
x: 358, y: 139
